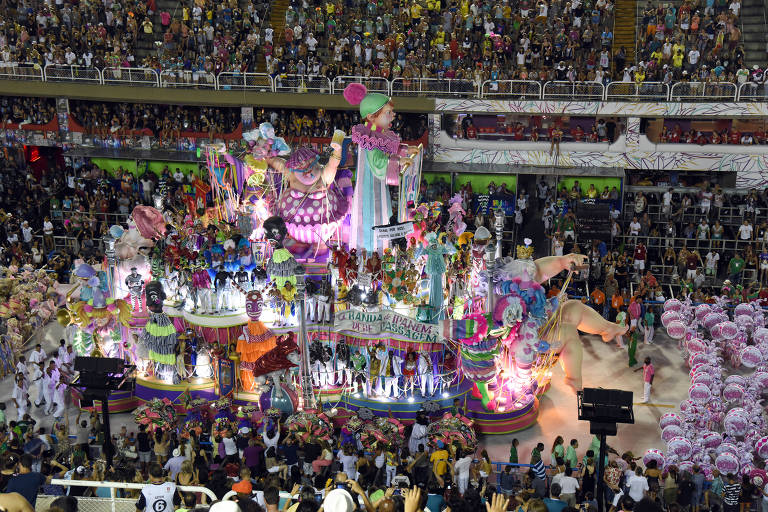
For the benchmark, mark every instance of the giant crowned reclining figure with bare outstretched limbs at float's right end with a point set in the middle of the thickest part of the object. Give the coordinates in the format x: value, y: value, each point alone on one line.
x: 528, y: 325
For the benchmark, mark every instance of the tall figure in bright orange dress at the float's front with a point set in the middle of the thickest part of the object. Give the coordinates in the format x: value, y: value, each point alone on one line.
x: 255, y: 341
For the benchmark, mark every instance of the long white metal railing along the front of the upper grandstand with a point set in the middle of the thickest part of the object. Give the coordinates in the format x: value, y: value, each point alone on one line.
x: 401, y: 86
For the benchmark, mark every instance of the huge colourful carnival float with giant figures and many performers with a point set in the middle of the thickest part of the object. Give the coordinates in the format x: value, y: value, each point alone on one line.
x: 313, y: 282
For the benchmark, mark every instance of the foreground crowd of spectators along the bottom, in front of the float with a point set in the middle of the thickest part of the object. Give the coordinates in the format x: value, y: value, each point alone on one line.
x: 268, y: 468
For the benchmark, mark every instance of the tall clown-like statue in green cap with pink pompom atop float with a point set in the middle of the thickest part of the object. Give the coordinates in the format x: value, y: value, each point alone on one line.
x: 378, y: 165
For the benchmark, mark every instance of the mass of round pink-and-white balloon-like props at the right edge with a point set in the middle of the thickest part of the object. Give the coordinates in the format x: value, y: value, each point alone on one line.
x: 720, y: 425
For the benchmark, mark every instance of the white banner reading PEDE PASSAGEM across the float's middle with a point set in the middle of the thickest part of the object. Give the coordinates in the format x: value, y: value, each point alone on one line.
x: 386, y: 324
